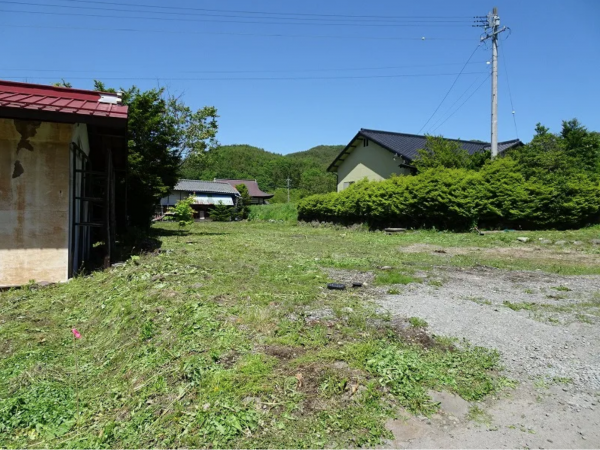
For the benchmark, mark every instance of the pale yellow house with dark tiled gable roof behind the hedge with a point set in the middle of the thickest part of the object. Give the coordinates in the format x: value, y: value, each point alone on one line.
x: 377, y: 155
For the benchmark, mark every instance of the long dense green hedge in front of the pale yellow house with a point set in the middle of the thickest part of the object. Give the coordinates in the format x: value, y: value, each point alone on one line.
x: 497, y: 196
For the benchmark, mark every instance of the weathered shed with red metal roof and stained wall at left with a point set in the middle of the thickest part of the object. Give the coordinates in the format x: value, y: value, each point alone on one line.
x: 63, y: 165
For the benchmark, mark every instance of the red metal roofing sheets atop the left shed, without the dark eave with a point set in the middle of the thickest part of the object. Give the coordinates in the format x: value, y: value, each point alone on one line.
x: 59, y: 99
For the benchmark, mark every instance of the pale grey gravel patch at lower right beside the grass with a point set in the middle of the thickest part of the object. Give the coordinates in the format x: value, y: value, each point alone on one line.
x: 547, y: 330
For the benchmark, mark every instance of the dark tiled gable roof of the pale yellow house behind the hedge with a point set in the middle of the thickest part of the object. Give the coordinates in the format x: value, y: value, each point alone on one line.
x: 407, y: 146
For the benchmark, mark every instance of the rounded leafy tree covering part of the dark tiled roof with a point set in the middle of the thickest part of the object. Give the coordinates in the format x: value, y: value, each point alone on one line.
x: 440, y: 152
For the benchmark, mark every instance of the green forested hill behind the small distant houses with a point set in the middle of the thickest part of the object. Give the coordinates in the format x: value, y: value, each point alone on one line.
x: 306, y: 170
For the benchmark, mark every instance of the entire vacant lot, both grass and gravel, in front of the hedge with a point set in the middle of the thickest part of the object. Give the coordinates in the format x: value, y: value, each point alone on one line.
x: 228, y: 337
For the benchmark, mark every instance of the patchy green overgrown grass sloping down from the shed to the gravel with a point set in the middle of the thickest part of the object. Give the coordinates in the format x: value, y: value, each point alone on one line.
x: 209, y: 344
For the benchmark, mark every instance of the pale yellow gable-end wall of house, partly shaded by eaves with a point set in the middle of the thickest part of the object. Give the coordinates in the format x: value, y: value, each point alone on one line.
x: 373, y: 162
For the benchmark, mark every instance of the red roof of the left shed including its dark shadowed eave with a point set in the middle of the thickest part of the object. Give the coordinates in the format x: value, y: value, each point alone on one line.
x: 42, y: 102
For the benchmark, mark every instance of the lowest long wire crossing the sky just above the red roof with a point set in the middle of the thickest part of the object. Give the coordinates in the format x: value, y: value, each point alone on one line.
x: 349, y: 77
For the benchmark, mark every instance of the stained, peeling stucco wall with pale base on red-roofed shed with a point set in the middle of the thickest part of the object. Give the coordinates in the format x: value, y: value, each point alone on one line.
x: 34, y: 201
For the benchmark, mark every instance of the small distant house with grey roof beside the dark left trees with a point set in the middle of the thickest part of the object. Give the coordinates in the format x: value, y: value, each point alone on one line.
x: 206, y: 195
